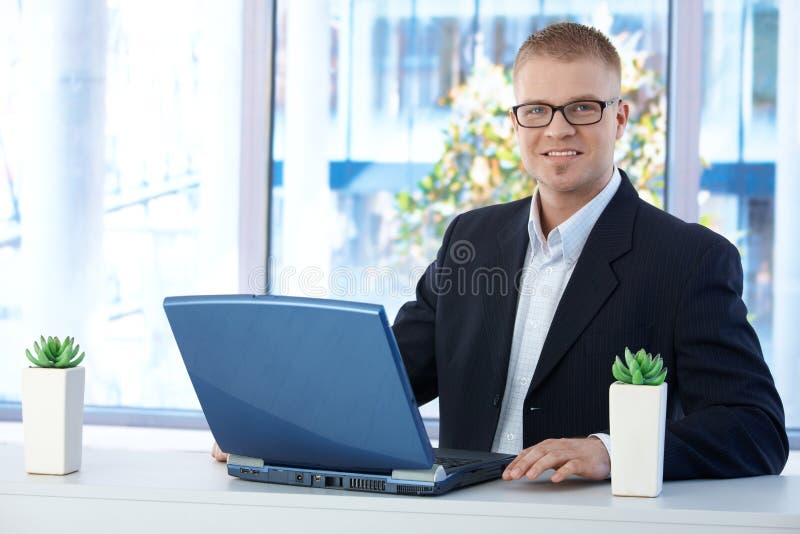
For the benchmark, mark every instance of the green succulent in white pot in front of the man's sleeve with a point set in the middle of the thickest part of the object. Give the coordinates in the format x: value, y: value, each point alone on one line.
x: 637, y: 414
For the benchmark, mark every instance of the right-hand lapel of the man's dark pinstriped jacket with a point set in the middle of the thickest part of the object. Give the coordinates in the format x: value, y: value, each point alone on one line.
x: 593, y: 280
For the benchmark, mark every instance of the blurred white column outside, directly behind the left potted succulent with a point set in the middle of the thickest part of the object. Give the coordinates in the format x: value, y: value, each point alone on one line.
x: 62, y: 168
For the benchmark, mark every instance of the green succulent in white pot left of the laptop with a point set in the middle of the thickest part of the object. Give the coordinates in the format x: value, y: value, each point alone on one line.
x: 52, y: 407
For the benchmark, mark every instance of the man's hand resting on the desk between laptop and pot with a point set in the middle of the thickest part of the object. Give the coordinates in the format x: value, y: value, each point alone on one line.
x: 585, y: 457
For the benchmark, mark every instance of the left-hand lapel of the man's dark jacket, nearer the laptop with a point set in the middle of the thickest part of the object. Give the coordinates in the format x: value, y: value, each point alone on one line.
x: 500, y: 309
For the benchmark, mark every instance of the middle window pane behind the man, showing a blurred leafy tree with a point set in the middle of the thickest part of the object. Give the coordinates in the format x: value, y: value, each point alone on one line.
x: 370, y: 100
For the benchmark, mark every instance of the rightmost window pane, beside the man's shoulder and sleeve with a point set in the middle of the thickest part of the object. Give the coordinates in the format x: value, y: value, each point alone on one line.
x: 746, y: 131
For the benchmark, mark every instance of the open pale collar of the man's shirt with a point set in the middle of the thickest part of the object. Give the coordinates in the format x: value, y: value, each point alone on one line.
x: 570, y: 236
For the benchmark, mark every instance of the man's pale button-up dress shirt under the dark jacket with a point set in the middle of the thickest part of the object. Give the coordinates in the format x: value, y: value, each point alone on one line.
x: 549, y: 263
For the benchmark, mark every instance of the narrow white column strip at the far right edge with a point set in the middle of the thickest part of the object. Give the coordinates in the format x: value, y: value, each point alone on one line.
x: 786, y: 286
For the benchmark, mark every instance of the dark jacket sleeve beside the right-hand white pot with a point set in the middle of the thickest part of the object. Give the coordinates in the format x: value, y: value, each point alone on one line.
x: 733, y: 422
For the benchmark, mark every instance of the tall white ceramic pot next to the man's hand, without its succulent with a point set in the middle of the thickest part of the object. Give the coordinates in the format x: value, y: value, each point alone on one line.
x: 637, y: 415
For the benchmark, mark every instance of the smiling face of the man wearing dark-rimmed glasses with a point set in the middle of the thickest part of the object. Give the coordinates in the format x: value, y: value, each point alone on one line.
x: 582, y: 173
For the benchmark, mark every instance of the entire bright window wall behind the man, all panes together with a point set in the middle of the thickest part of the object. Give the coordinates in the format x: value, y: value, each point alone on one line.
x: 123, y: 157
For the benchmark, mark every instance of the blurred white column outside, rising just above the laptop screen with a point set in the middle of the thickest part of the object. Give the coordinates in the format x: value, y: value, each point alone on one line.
x: 307, y: 209
